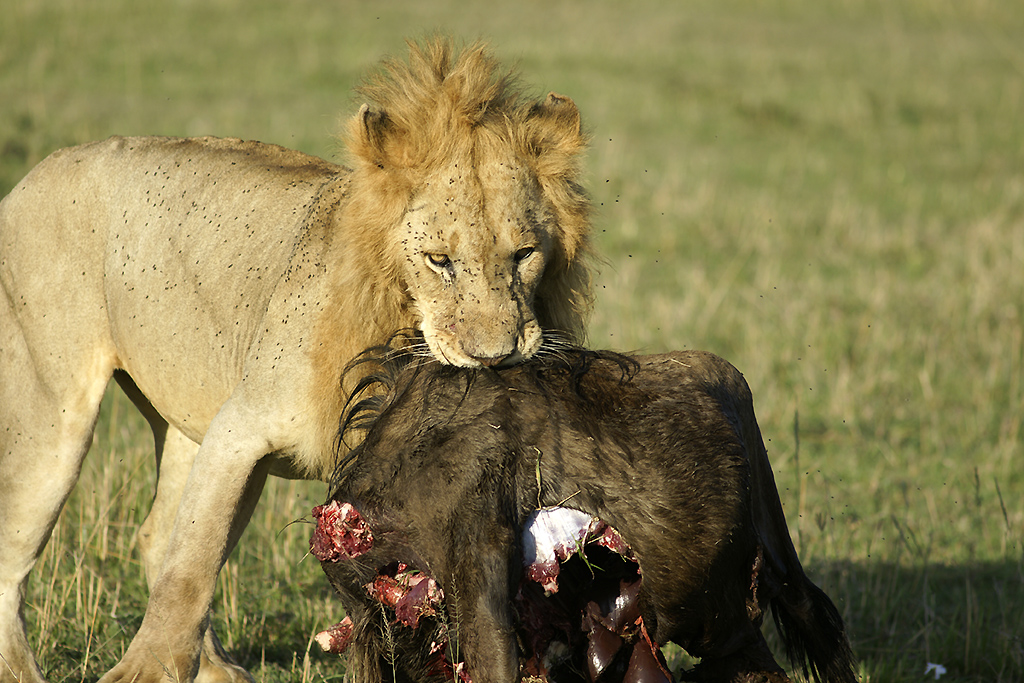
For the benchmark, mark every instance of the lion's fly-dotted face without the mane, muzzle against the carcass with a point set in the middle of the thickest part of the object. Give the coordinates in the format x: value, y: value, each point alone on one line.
x: 475, y: 246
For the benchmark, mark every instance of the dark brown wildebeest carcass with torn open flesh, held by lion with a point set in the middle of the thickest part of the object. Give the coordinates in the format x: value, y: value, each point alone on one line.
x: 562, y: 519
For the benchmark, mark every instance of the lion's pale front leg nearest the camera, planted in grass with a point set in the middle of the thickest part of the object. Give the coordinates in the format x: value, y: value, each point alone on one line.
x: 221, y: 494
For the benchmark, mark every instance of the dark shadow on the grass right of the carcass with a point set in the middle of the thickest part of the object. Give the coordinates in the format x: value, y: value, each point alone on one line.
x: 969, y: 619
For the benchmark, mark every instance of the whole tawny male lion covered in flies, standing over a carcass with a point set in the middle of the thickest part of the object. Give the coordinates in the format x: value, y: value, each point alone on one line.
x: 227, y: 284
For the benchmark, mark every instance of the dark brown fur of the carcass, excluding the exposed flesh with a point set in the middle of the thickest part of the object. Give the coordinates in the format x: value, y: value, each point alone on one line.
x: 665, y: 449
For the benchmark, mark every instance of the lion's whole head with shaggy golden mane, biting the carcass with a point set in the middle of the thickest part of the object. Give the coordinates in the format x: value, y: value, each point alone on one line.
x: 477, y: 201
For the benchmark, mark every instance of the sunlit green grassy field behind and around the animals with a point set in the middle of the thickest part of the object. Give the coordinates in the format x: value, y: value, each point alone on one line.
x: 831, y: 195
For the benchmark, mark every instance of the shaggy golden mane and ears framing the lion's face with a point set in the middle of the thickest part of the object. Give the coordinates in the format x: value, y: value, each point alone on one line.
x: 442, y: 102
